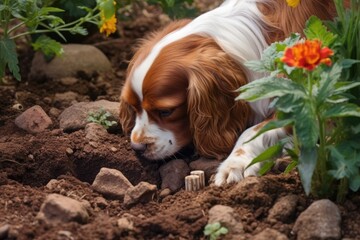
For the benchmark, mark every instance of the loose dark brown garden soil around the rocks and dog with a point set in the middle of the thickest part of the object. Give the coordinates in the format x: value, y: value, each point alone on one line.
x: 29, y: 161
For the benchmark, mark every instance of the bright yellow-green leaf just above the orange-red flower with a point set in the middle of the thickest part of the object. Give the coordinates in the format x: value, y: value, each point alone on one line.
x: 315, y: 29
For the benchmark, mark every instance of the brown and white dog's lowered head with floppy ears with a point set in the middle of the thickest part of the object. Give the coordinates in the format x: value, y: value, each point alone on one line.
x: 182, y: 93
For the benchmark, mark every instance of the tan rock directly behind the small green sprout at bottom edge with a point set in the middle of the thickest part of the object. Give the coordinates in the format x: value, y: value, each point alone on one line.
x: 227, y: 218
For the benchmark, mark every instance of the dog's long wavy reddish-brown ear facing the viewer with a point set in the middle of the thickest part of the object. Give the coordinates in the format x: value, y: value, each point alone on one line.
x: 215, y: 117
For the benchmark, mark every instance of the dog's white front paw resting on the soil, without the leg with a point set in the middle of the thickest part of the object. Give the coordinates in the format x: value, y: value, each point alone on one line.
x: 233, y: 169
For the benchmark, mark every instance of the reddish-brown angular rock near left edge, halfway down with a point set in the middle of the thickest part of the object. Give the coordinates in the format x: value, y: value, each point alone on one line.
x: 33, y: 120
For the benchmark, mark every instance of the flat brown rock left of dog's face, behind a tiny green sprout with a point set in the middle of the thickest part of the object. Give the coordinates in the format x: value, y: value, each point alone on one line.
x: 75, y: 117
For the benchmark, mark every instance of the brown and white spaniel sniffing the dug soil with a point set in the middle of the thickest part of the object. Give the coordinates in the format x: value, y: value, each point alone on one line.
x: 181, y: 83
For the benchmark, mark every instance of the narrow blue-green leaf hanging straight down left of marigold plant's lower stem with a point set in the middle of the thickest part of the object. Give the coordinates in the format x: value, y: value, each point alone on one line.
x: 306, y: 166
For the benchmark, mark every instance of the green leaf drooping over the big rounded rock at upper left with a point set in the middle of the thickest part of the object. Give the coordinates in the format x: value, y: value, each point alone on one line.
x: 48, y: 46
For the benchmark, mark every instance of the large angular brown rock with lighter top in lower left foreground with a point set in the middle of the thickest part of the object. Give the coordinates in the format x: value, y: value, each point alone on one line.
x: 58, y: 208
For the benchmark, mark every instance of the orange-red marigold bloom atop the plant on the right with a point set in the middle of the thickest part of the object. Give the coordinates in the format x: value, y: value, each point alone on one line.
x: 308, y: 55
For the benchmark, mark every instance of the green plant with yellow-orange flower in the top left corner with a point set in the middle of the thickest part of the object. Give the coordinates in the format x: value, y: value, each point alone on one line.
x: 39, y: 17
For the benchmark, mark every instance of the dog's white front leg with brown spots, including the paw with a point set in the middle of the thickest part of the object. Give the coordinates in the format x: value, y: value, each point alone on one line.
x: 233, y: 169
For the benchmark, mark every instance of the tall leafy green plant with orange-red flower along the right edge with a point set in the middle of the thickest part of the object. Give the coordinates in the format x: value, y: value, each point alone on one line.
x: 312, y: 95
